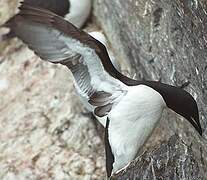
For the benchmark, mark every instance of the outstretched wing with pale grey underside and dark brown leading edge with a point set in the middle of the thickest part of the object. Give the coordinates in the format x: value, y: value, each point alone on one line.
x: 55, y: 40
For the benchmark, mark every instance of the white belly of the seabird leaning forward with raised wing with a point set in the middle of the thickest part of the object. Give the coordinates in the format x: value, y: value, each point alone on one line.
x: 132, y: 121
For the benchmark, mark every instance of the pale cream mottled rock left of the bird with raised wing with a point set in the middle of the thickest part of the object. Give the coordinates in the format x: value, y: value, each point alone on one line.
x: 43, y: 134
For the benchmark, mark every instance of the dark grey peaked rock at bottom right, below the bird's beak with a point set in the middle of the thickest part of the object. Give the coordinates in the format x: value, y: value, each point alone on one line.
x: 172, y: 160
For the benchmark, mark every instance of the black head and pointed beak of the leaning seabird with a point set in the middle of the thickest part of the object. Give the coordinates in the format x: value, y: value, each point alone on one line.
x: 179, y: 101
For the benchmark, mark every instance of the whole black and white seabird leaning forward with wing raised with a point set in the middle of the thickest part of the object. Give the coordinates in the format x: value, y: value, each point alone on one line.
x: 129, y: 109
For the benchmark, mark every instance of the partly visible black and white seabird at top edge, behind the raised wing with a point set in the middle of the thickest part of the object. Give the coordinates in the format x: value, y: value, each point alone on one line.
x: 74, y: 11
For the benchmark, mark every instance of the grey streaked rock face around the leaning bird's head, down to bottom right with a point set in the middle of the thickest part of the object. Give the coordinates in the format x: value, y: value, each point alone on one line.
x: 166, y: 41
